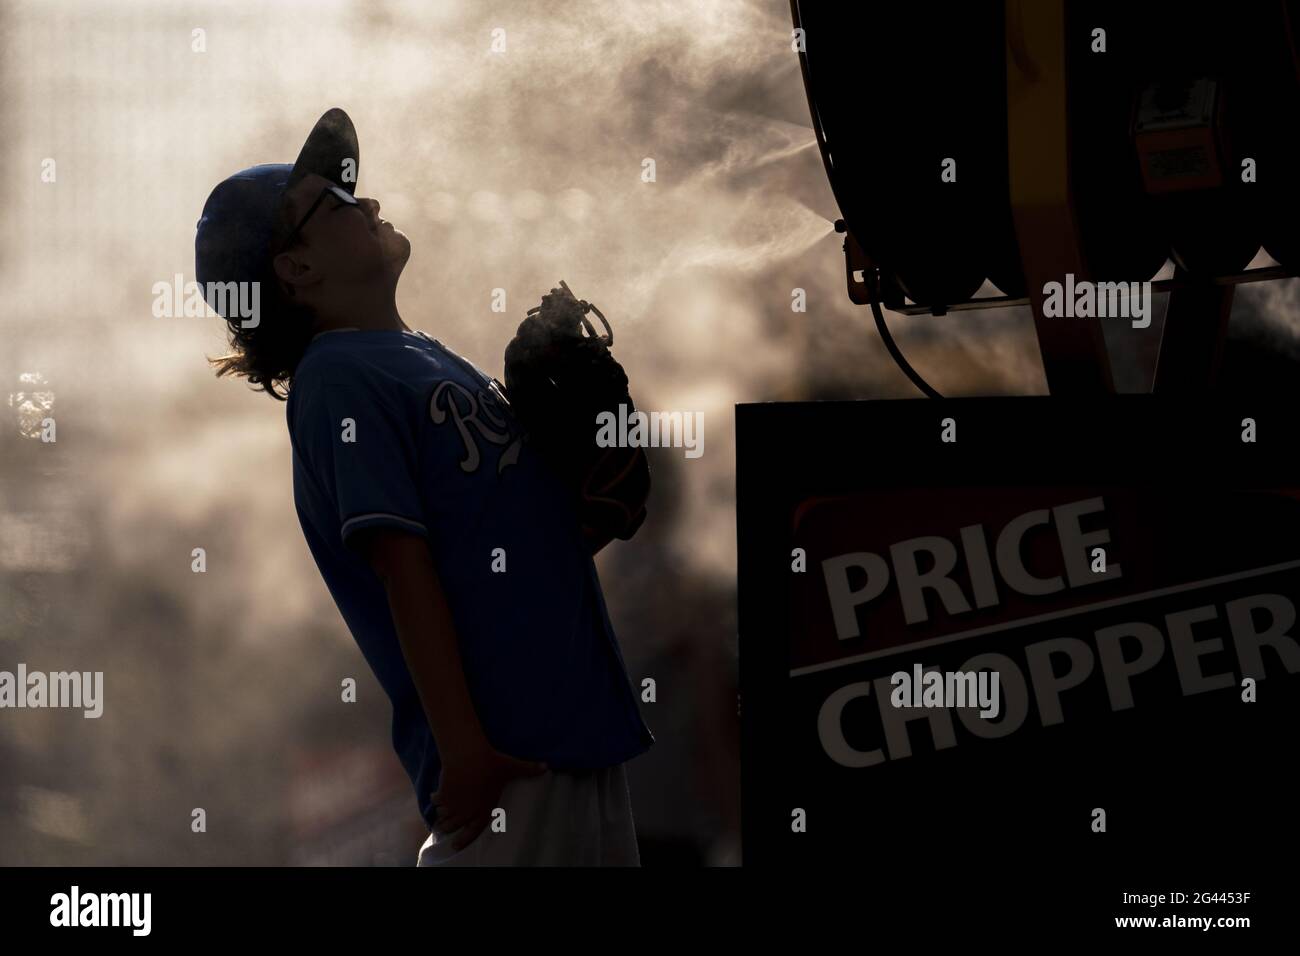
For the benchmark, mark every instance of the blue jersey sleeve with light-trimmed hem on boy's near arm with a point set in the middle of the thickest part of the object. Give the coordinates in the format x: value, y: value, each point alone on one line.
x: 359, y: 445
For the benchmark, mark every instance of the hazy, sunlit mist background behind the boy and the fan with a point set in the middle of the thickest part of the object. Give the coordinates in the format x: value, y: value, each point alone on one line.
x: 508, y: 171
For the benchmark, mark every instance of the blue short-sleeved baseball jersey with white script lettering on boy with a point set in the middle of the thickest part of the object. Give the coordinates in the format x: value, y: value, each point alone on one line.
x: 392, y: 429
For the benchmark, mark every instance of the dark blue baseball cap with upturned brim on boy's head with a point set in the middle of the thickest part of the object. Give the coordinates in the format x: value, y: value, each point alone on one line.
x: 239, y: 219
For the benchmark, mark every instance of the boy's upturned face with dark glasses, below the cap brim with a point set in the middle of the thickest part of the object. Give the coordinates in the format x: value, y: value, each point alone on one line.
x: 341, y: 244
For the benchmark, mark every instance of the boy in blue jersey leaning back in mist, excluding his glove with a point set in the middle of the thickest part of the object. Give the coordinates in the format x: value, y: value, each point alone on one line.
x: 454, y: 556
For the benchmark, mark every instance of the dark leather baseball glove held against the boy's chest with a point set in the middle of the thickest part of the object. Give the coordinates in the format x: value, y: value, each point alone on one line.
x: 560, y: 377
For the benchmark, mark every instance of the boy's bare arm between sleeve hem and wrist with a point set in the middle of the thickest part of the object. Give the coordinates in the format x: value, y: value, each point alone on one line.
x: 432, y: 651
